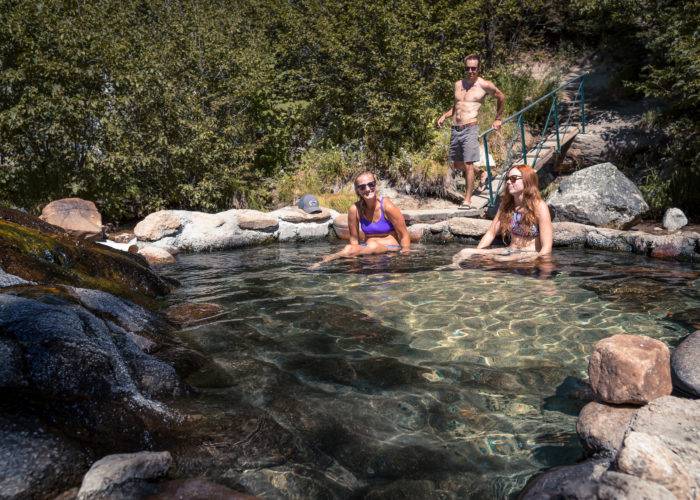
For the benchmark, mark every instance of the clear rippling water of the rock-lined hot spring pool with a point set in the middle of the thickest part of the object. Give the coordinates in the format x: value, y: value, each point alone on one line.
x: 387, y: 373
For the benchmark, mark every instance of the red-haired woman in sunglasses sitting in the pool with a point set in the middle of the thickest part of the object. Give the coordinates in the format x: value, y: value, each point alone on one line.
x: 523, y: 219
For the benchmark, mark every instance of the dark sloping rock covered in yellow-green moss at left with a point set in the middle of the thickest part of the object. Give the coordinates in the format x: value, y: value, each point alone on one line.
x: 40, y: 252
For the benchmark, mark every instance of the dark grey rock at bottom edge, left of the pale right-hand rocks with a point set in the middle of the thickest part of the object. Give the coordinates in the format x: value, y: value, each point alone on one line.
x: 578, y: 481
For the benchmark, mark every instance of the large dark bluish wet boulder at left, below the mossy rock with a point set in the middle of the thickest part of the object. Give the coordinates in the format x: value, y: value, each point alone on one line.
x: 72, y: 361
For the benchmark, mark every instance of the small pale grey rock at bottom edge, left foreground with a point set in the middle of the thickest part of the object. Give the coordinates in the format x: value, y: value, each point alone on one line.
x: 119, y: 476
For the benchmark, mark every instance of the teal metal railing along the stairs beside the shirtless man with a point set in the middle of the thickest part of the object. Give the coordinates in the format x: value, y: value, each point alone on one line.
x: 573, y: 112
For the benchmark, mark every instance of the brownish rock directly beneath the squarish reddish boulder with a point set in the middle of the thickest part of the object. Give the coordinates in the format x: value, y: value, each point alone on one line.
x: 602, y: 427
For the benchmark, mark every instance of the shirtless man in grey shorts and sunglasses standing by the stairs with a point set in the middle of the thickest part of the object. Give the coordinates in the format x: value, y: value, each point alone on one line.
x: 470, y: 93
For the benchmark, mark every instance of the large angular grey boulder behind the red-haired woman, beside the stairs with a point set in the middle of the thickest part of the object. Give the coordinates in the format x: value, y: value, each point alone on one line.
x: 600, y: 196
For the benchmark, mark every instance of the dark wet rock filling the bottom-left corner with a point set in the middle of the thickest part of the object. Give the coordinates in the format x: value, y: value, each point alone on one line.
x: 35, y: 463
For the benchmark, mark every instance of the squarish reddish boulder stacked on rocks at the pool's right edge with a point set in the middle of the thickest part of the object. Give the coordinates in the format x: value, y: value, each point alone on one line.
x: 630, y: 369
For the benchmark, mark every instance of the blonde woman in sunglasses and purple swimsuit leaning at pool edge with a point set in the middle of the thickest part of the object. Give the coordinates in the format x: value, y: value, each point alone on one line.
x: 376, y: 225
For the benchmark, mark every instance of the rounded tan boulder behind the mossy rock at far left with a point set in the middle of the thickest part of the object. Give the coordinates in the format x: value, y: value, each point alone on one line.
x: 78, y: 217
